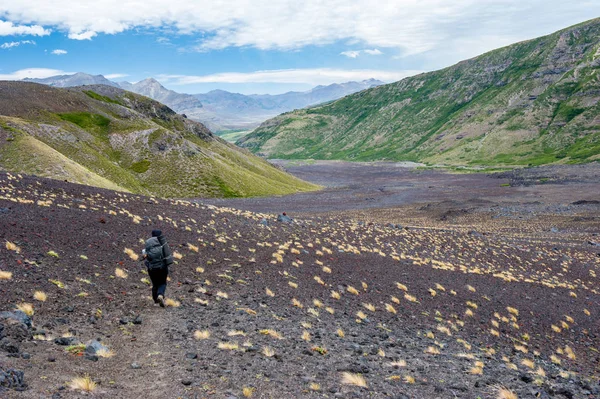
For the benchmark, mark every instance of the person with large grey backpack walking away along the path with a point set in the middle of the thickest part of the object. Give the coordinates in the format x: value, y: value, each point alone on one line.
x: 158, y: 258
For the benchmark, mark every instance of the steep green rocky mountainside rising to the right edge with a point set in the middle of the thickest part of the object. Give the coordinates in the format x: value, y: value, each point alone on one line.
x: 533, y: 102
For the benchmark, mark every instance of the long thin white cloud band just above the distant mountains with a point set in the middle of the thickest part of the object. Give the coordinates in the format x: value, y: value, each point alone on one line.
x: 314, y: 76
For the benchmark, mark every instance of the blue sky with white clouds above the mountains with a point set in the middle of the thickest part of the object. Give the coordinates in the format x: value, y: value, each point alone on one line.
x: 259, y: 46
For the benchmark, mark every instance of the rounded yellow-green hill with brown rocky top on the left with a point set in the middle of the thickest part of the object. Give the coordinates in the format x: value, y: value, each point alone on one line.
x: 107, y: 137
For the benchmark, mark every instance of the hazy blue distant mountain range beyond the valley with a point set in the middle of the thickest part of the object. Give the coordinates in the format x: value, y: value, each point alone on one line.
x: 221, y: 110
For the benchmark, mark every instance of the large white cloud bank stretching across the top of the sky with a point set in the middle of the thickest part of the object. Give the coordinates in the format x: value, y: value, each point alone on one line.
x: 410, y: 26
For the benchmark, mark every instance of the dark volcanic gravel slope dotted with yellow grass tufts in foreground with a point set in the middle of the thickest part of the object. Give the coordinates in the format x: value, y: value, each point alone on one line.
x: 419, y: 312
